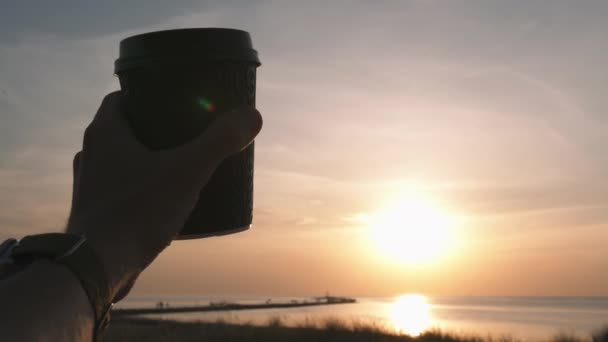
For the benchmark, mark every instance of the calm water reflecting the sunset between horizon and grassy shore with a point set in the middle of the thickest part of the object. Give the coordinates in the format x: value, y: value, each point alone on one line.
x: 529, y: 318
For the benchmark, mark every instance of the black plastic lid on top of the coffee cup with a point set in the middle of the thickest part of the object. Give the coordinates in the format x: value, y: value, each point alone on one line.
x: 183, y: 45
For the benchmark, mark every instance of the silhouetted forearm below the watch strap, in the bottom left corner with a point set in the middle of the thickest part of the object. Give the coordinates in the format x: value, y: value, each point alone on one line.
x: 44, y: 302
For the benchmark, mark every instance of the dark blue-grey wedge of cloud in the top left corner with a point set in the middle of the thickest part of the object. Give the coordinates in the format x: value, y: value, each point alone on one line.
x: 77, y: 19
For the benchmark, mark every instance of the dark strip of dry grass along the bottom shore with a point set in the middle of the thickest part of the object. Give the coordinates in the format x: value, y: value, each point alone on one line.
x: 329, y: 329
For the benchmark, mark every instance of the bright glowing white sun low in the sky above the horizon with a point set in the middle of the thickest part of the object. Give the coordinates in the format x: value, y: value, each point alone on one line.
x: 412, y: 230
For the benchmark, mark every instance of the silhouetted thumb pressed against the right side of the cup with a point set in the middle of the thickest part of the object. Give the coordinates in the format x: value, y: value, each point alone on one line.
x: 230, y: 133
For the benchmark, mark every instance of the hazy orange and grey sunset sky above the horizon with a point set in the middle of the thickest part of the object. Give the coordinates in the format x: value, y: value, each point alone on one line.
x: 494, y: 110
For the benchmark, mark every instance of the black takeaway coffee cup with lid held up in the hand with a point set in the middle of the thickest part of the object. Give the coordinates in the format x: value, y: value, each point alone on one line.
x: 176, y: 83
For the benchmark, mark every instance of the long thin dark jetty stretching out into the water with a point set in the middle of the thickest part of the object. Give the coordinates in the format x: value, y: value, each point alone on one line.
x: 162, y: 308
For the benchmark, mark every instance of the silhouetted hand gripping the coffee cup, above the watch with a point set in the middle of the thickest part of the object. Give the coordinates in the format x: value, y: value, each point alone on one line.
x: 130, y: 202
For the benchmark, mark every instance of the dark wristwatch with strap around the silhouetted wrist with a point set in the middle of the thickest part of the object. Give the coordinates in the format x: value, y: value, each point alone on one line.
x: 78, y: 256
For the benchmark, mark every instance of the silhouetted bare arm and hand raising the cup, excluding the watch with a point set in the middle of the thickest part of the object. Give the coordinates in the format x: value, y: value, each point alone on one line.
x: 129, y: 203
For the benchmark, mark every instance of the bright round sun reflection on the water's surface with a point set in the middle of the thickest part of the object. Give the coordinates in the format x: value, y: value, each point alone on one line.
x: 411, y: 314
